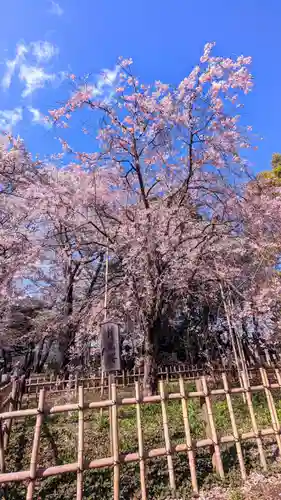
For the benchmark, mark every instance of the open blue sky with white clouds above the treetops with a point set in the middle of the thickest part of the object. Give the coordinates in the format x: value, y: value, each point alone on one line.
x: 165, y: 40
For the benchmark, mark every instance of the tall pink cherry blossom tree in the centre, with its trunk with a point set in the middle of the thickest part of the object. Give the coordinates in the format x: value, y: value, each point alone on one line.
x: 167, y: 162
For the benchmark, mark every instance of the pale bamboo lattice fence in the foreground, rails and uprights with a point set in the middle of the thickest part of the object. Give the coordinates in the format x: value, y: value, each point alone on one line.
x: 115, y: 461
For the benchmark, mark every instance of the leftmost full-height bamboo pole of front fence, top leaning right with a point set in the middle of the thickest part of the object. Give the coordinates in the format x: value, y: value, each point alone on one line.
x: 35, y: 446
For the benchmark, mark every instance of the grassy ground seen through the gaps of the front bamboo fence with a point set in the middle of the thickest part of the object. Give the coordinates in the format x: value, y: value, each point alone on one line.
x: 58, y: 445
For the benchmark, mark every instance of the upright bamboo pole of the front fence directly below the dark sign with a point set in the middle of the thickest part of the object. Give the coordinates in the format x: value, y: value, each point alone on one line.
x: 115, y: 443
